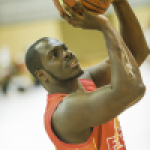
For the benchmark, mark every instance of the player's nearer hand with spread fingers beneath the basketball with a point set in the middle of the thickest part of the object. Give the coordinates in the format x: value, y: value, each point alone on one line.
x: 82, y: 18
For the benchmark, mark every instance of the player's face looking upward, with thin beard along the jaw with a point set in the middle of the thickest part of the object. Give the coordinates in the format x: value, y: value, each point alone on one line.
x: 58, y: 60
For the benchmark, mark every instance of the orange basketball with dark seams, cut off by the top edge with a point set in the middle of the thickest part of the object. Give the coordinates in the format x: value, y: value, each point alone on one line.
x: 98, y: 6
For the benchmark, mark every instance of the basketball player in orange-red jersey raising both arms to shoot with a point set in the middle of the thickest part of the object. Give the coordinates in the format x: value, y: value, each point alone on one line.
x: 83, y: 105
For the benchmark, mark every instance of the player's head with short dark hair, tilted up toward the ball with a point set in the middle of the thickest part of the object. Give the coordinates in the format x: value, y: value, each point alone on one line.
x: 49, y: 58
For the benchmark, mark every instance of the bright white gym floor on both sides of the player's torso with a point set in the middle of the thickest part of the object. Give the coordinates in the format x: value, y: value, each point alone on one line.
x: 22, y: 127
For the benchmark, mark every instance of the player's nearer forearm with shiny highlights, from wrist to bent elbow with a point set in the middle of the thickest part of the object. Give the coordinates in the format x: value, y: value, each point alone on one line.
x: 124, y: 68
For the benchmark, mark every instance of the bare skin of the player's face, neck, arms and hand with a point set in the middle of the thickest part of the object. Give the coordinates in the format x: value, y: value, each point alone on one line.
x: 118, y: 77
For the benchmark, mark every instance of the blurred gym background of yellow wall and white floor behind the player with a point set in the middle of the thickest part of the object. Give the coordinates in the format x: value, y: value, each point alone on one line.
x: 23, y: 100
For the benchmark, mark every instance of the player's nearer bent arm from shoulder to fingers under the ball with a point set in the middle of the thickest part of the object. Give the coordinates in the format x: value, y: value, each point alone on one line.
x: 81, y: 110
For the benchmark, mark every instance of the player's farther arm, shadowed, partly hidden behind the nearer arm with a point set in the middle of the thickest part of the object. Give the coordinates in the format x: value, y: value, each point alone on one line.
x: 133, y: 37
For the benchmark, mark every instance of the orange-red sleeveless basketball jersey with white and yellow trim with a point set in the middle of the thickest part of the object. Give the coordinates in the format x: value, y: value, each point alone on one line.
x: 105, y: 137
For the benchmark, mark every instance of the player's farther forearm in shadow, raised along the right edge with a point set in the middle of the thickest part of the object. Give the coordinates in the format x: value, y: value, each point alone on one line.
x: 131, y: 31
